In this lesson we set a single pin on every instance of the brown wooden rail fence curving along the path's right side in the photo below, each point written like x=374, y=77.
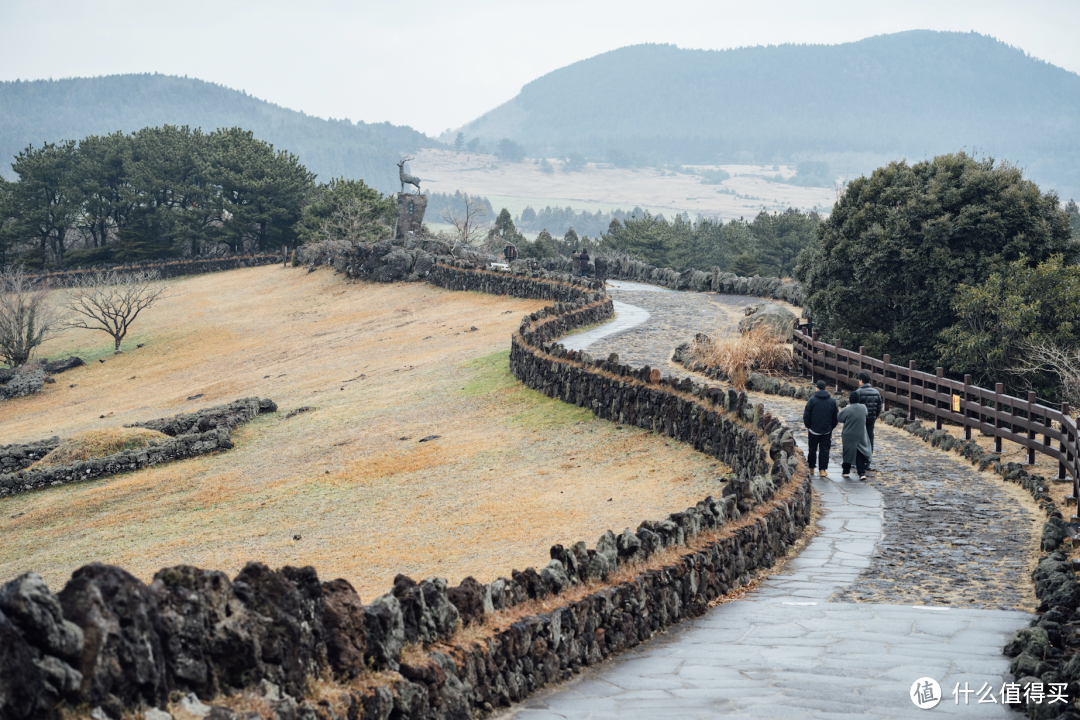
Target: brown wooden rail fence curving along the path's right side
x=1035, y=427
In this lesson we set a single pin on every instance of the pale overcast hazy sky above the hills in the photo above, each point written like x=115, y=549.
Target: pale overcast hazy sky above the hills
x=436, y=65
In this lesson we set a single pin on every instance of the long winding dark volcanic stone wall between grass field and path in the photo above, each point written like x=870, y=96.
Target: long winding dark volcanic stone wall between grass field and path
x=110, y=642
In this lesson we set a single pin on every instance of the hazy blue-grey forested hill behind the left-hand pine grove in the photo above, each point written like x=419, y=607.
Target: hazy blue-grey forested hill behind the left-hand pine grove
x=50, y=111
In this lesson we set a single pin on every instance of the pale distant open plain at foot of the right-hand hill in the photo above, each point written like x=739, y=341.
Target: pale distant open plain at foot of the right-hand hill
x=518, y=185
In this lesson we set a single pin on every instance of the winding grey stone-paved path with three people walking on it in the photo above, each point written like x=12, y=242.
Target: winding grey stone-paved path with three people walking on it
x=928, y=549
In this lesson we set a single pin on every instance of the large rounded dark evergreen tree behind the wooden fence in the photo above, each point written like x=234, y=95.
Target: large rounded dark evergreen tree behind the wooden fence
x=889, y=260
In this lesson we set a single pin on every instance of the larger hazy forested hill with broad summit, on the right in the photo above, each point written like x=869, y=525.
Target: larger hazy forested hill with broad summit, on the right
x=912, y=94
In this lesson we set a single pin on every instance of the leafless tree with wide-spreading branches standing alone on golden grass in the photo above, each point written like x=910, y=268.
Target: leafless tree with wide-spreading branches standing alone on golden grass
x=111, y=302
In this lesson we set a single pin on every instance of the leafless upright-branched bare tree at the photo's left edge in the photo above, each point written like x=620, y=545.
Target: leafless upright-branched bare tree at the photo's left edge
x=28, y=318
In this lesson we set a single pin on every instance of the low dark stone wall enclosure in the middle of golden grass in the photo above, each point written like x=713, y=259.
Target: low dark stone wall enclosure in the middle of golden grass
x=194, y=433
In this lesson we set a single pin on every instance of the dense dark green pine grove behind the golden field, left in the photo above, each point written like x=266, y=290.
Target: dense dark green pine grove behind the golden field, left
x=164, y=193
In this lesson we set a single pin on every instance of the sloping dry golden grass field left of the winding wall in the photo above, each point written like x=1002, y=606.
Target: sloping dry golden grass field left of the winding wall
x=511, y=474
